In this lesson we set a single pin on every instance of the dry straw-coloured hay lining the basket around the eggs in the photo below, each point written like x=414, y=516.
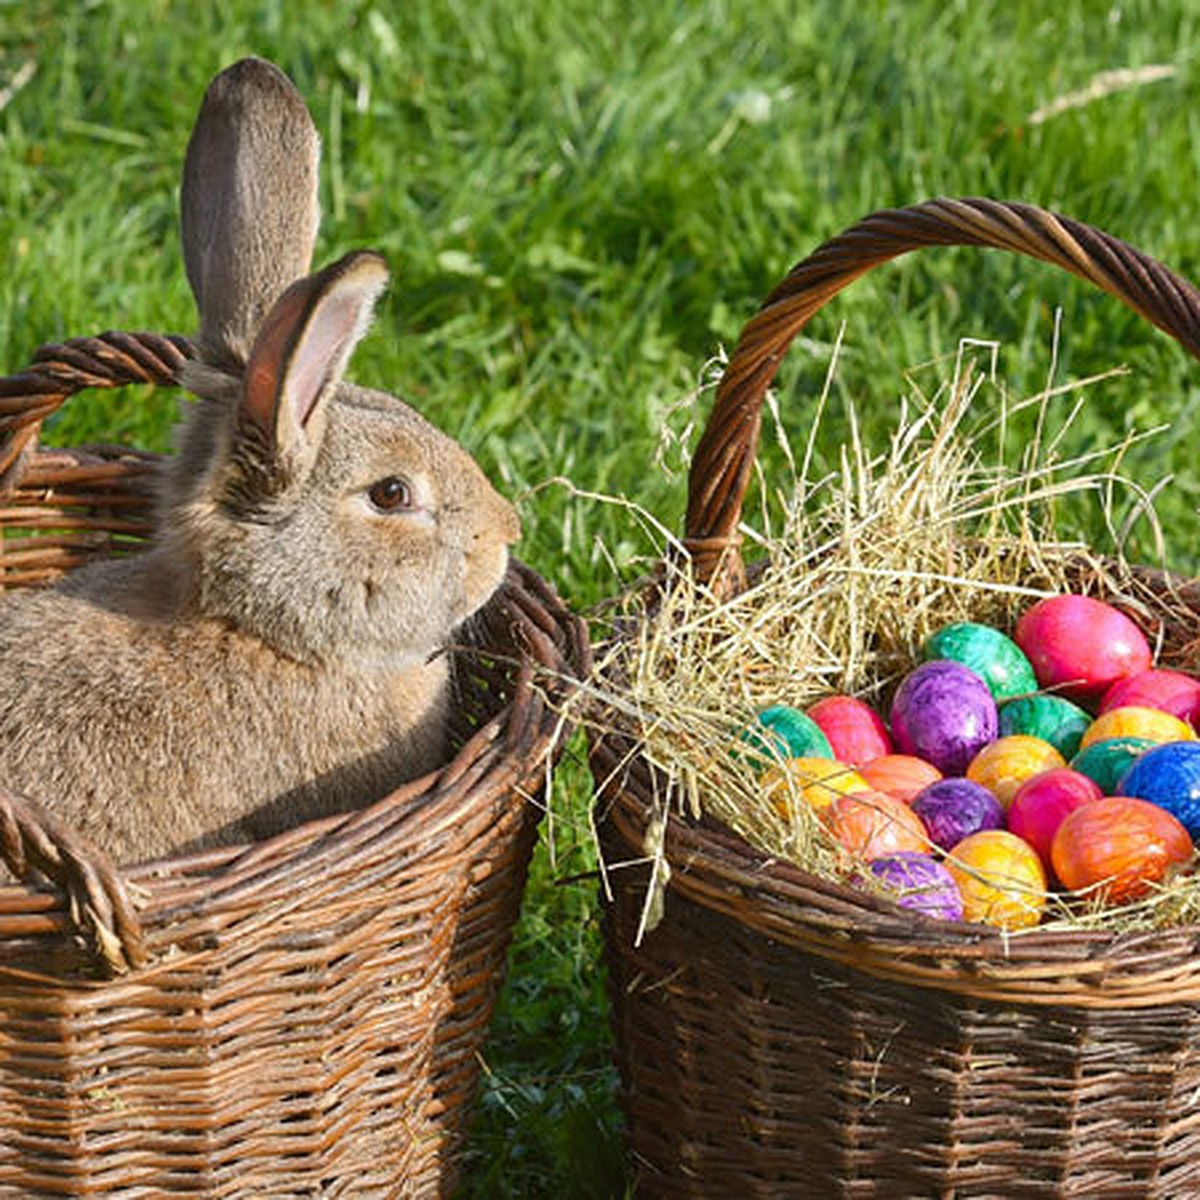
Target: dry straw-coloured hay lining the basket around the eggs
x=869, y=562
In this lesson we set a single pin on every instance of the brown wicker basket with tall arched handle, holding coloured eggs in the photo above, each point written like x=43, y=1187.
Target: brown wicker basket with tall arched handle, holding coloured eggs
x=783, y=1036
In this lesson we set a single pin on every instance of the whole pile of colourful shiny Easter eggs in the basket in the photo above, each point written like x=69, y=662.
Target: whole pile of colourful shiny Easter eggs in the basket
x=1058, y=759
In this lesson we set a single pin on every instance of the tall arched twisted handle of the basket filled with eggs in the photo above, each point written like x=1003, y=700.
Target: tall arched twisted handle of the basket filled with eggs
x=724, y=459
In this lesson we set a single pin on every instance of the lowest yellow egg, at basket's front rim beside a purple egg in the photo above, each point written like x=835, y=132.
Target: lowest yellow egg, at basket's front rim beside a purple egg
x=1000, y=878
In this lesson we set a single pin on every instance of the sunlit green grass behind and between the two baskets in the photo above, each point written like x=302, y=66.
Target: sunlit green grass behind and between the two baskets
x=584, y=201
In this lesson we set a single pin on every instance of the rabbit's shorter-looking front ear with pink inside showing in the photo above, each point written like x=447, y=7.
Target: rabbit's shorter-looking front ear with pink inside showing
x=303, y=349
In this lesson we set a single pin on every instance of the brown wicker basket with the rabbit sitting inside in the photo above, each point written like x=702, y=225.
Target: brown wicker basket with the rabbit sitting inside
x=299, y=1018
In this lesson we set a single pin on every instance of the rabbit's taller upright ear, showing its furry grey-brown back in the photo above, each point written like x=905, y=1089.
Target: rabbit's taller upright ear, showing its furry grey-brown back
x=249, y=203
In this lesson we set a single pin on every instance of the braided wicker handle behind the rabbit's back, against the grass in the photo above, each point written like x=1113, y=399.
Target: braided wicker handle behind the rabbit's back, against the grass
x=61, y=370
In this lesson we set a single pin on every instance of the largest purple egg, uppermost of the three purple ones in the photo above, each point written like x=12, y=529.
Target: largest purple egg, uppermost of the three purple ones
x=944, y=712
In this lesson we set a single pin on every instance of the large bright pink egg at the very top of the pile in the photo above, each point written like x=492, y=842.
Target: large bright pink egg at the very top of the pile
x=1081, y=646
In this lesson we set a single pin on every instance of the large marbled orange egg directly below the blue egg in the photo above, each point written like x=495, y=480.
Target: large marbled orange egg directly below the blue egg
x=1119, y=845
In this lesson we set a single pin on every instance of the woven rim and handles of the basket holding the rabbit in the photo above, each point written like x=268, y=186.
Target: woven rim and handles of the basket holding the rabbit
x=139, y=915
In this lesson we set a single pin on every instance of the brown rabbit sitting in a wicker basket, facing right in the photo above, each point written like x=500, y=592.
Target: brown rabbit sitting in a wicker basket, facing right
x=280, y=651
